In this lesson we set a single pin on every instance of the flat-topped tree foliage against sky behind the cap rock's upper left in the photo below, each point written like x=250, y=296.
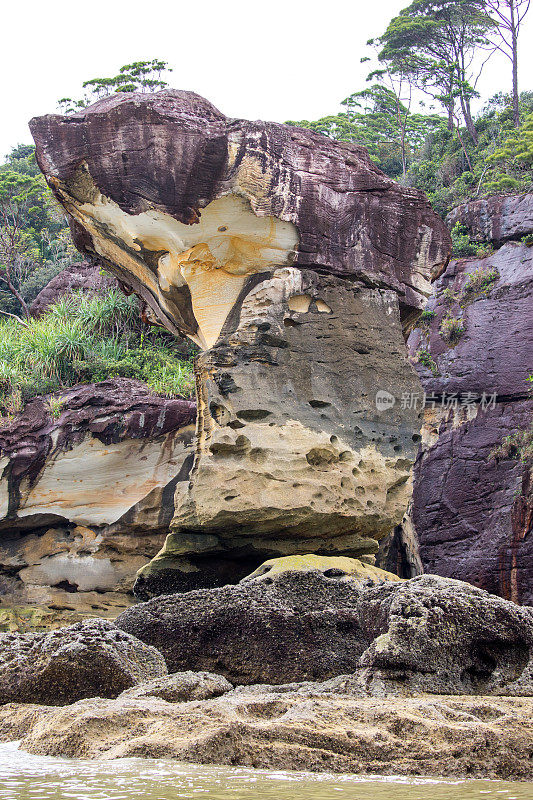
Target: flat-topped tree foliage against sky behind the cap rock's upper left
x=140, y=76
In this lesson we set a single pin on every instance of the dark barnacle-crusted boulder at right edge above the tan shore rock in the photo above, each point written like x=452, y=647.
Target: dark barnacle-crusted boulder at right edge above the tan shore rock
x=445, y=637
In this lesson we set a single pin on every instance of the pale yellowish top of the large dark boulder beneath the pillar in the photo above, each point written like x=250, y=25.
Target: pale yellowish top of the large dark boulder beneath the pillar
x=337, y=566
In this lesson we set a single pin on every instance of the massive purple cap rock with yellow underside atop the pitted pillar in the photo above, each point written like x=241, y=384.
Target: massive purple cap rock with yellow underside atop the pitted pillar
x=166, y=188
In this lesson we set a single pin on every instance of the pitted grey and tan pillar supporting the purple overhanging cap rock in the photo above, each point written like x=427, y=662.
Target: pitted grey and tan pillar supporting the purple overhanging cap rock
x=307, y=464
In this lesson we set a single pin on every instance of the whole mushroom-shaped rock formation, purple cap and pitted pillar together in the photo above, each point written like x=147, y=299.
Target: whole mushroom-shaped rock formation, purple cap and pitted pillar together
x=293, y=262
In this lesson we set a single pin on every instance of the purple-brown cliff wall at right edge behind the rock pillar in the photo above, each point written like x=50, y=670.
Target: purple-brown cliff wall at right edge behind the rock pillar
x=472, y=509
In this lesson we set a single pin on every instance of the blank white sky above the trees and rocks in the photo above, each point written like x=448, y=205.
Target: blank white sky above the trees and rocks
x=272, y=60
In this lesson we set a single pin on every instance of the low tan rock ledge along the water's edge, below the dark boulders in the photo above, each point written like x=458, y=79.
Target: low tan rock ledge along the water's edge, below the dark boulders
x=312, y=727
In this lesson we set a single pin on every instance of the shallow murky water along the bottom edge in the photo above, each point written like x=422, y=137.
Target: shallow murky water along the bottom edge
x=27, y=777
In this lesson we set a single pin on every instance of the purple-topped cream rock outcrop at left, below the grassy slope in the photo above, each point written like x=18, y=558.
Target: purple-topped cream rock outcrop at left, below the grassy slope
x=86, y=498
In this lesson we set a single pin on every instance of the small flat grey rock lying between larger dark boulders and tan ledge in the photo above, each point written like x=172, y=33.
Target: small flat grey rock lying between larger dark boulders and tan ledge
x=180, y=687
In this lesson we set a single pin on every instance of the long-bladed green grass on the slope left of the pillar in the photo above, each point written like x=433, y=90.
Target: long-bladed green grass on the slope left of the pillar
x=84, y=339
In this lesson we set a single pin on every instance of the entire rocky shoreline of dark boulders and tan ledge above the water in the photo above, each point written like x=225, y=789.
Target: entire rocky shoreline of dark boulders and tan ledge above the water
x=434, y=678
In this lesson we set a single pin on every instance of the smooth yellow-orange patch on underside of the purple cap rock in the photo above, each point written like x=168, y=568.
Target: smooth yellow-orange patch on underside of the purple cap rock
x=199, y=268
